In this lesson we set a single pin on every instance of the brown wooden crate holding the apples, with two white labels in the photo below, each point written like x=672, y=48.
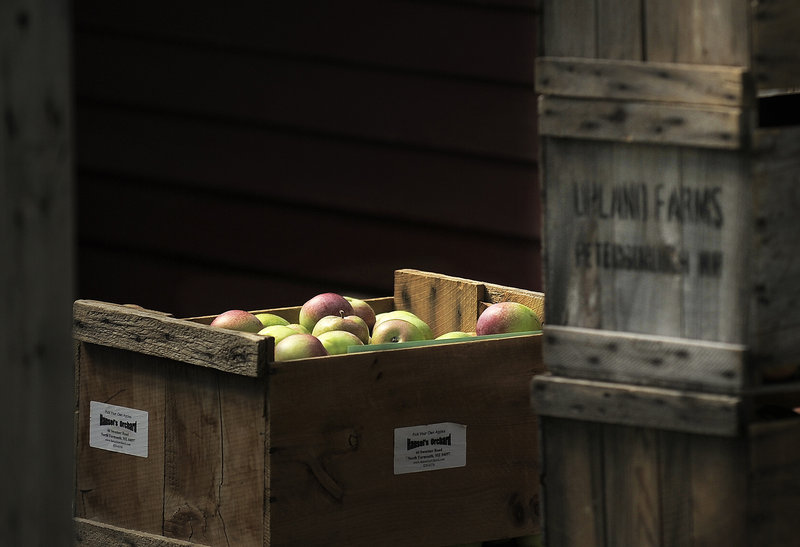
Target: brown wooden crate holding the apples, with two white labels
x=242, y=450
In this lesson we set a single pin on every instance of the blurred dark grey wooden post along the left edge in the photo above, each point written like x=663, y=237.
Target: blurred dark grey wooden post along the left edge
x=36, y=274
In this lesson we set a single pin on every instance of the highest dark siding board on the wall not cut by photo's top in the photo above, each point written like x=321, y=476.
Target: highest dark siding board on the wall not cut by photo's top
x=406, y=109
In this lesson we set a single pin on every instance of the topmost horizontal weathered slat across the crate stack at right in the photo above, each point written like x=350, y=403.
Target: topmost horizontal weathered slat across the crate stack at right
x=640, y=81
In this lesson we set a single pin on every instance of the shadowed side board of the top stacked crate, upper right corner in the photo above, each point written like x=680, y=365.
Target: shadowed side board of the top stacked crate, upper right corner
x=775, y=44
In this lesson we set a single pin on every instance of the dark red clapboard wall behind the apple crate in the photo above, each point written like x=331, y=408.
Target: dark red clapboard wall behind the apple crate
x=250, y=154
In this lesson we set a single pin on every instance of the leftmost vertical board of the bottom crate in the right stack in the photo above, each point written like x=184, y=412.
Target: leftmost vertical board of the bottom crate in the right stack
x=572, y=483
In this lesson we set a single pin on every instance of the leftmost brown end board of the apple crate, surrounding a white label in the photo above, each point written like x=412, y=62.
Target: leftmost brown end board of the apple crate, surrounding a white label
x=114, y=488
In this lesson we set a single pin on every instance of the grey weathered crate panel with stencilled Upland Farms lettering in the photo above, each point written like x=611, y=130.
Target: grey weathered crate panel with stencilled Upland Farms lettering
x=636, y=234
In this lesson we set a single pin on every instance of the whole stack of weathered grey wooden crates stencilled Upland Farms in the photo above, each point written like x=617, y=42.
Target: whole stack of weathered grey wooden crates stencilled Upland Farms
x=670, y=166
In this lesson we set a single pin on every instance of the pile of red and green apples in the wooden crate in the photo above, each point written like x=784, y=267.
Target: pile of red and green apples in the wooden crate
x=329, y=324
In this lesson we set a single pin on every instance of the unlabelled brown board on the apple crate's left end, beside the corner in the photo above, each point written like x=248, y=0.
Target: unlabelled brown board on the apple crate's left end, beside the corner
x=214, y=462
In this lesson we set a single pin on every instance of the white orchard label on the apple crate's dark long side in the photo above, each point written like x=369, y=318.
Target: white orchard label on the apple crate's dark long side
x=429, y=447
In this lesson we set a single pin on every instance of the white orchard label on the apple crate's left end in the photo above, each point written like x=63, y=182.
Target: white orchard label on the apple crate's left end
x=118, y=429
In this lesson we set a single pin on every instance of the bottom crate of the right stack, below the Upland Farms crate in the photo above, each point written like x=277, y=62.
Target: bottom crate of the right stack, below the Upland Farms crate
x=645, y=466
